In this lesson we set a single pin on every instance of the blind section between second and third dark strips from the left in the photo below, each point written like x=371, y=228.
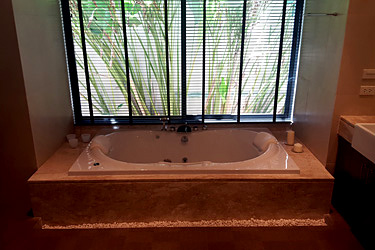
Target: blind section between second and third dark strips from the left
x=147, y=57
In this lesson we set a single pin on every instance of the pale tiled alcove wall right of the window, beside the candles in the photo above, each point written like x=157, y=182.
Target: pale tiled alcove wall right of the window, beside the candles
x=320, y=58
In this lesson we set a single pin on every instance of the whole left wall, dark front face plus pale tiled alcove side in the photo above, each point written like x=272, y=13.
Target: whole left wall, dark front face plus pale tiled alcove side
x=34, y=97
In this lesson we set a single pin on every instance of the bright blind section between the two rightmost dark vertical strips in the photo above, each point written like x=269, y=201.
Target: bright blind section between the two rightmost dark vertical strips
x=263, y=29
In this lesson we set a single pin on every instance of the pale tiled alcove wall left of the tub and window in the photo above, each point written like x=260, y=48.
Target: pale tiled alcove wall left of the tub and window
x=40, y=39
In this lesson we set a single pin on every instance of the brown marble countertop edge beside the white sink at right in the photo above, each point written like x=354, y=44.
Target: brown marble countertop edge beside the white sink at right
x=347, y=123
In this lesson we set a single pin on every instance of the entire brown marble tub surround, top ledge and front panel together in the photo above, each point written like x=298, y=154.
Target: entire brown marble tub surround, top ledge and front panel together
x=71, y=200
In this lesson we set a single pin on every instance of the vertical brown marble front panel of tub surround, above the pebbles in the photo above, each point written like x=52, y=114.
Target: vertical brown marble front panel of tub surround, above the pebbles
x=108, y=202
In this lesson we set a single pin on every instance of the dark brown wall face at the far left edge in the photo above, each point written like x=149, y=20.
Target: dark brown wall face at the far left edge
x=17, y=158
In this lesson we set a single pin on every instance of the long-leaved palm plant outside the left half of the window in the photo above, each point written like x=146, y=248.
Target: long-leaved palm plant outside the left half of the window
x=104, y=37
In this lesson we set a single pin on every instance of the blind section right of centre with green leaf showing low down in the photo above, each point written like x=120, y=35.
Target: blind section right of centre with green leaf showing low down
x=223, y=47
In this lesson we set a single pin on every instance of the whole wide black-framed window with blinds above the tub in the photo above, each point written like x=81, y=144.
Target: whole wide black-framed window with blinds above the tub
x=133, y=61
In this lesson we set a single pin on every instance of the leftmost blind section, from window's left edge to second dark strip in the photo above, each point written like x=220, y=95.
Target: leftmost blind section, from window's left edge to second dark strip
x=102, y=25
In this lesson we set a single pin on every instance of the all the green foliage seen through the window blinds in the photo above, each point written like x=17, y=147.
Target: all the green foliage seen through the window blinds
x=147, y=58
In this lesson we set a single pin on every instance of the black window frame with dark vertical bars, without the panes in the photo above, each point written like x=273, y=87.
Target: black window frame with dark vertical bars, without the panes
x=79, y=119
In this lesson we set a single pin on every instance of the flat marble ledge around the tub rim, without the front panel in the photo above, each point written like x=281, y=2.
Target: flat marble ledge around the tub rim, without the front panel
x=57, y=167
